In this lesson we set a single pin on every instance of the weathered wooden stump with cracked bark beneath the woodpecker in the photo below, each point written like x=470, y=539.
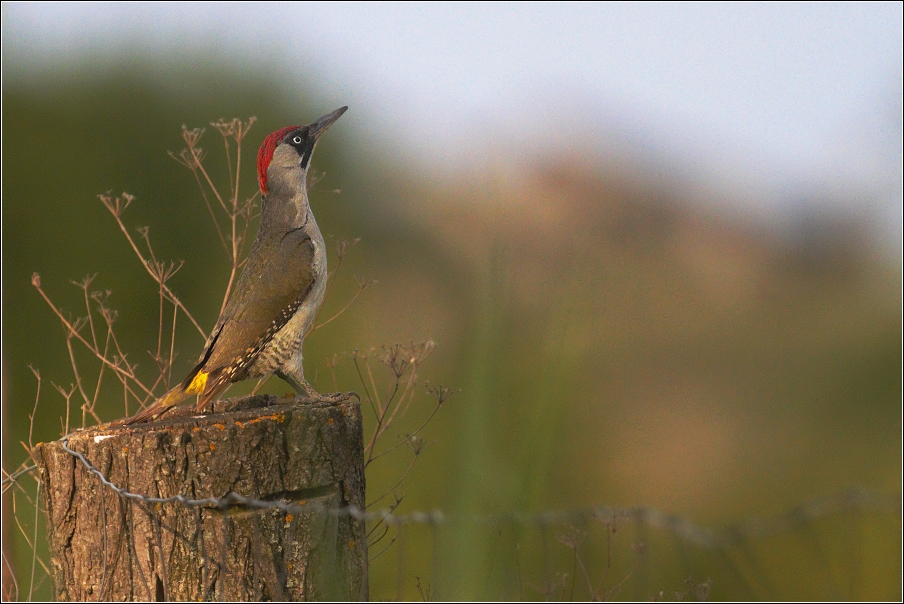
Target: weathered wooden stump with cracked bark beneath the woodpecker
x=105, y=546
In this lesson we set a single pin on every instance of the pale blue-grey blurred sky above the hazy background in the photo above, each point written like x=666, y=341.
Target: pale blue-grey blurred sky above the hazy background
x=780, y=104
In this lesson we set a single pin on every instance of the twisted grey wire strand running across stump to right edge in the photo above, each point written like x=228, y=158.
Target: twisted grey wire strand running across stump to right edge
x=852, y=499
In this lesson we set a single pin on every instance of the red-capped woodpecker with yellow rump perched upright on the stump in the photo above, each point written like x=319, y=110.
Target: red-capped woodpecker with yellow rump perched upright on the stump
x=279, y=293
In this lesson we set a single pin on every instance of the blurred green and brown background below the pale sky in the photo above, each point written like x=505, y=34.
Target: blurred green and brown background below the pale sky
x=615, y=340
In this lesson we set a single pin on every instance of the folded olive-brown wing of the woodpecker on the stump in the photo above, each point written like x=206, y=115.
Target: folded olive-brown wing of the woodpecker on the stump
x=277, y=276
